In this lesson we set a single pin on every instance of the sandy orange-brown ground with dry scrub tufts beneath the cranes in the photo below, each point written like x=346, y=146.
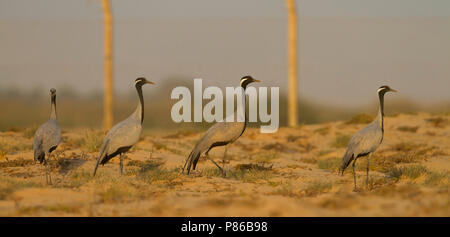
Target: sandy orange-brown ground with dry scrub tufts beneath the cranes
x=289, y=173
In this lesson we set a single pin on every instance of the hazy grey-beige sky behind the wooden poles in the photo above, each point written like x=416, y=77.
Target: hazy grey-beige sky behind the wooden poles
x=347, y=47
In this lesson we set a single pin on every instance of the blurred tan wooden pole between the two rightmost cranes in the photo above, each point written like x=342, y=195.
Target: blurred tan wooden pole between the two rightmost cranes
x=293, y=63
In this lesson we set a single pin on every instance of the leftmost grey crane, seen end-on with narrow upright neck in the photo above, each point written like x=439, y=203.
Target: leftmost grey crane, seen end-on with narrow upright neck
x=47, y=138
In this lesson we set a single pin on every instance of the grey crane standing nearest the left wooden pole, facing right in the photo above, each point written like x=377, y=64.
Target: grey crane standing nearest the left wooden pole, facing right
x=125, y=134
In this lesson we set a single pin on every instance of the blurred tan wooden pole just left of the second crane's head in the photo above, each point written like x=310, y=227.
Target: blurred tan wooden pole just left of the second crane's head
x=108, y=118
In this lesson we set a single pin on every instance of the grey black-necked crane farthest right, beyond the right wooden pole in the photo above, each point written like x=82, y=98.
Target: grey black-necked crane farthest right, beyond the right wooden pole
x=367, y=140
